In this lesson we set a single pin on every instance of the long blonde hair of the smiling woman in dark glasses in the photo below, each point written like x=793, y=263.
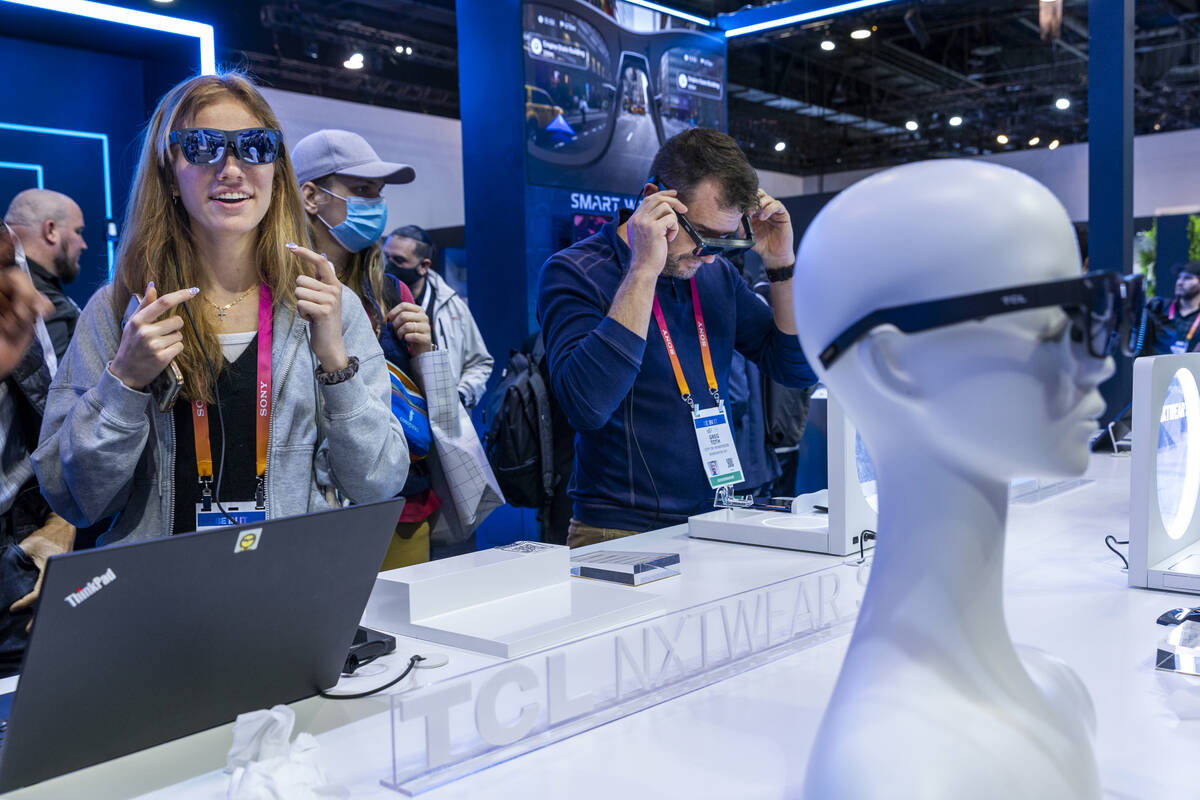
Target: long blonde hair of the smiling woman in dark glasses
x=158, y=242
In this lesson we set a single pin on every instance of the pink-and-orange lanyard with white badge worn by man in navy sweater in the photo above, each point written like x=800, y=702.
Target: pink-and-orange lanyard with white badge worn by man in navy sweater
x=718, y=454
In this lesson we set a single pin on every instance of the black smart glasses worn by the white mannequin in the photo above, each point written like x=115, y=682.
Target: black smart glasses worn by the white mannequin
x=1101, y=306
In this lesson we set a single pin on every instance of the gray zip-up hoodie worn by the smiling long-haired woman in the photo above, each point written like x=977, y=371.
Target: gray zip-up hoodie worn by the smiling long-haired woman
x=107, y=450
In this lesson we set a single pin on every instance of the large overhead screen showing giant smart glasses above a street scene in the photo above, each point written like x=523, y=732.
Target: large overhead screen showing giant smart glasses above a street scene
x=601, y=99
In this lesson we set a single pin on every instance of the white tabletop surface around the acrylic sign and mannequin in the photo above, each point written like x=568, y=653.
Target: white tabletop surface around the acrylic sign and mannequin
x=749, y=737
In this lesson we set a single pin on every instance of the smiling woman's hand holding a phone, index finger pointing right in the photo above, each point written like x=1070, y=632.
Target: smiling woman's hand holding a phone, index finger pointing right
x=149, y=345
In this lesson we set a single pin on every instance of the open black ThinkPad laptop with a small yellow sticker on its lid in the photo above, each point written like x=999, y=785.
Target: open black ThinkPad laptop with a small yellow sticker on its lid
x=139, y=645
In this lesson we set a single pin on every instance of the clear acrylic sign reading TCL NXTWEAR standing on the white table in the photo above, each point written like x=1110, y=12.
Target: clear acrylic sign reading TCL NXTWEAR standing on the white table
x=460, y=726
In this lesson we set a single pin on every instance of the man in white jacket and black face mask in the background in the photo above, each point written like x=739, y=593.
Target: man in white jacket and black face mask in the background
x=410, y=254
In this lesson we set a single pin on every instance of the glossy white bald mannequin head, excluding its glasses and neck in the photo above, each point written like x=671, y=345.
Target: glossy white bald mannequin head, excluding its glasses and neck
x=1011, y=396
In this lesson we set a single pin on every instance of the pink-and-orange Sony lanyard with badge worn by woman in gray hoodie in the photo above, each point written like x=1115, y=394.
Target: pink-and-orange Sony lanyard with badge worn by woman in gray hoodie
x=242, y=512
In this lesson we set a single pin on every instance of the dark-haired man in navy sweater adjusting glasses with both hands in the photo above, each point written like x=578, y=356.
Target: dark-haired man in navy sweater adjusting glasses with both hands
x=641, y=322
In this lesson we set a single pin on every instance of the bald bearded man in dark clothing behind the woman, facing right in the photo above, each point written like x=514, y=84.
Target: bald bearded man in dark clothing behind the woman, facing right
x=50, y=226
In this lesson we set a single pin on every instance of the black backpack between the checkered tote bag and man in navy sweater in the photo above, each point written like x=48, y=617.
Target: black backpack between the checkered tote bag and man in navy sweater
x=520, y=434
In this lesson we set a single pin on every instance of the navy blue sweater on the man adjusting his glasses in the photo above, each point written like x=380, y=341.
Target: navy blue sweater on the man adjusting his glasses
x=637, y=460
